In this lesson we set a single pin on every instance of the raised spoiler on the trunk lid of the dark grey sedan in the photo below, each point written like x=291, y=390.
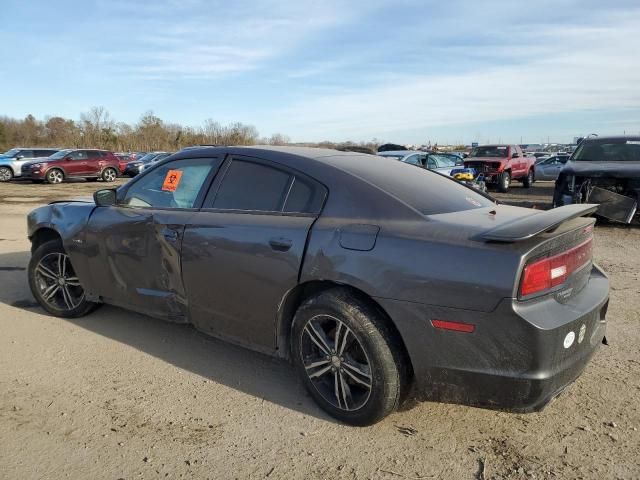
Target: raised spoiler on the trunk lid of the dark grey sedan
x=532, y=225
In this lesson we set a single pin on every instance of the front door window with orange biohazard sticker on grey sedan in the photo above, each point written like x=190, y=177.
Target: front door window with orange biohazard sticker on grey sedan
x=173, y=185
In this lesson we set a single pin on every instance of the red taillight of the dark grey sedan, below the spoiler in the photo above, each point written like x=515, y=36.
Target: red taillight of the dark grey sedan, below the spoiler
x=550, y=272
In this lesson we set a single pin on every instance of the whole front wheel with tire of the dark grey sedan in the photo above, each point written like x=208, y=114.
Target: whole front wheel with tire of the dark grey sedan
x=54, y=284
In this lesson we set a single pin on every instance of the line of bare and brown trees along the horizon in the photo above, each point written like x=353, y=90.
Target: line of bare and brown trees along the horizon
x=97, y=129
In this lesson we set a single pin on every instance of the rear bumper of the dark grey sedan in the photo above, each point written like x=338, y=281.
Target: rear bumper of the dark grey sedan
x=515, y=359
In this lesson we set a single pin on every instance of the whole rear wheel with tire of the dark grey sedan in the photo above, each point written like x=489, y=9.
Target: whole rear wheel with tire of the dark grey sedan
x=347, y=357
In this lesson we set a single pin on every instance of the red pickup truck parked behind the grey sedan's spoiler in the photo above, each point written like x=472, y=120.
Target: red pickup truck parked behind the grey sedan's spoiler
x=500, y=164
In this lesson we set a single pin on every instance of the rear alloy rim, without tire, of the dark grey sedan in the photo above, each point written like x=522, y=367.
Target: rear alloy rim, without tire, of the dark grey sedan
x=336, y=362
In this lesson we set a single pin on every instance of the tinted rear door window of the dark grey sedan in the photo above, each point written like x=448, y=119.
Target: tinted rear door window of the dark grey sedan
x=252, y=186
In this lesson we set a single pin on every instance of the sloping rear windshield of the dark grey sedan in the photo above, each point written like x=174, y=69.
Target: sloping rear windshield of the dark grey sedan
x=428, y=192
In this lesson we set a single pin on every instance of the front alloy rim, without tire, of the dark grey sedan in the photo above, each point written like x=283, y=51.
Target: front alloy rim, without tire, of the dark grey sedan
x=57, y=282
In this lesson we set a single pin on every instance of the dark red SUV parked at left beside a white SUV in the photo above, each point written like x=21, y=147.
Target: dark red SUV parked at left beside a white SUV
x=81, y=163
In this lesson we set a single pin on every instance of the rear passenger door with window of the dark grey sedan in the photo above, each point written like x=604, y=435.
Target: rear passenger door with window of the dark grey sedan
x=242, y=252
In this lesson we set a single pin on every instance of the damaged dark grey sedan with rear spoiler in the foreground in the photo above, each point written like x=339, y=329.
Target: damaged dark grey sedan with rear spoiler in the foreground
x=369, y=275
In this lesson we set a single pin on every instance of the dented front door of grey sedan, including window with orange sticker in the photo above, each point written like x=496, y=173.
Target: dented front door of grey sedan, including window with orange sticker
x=140, y=238
